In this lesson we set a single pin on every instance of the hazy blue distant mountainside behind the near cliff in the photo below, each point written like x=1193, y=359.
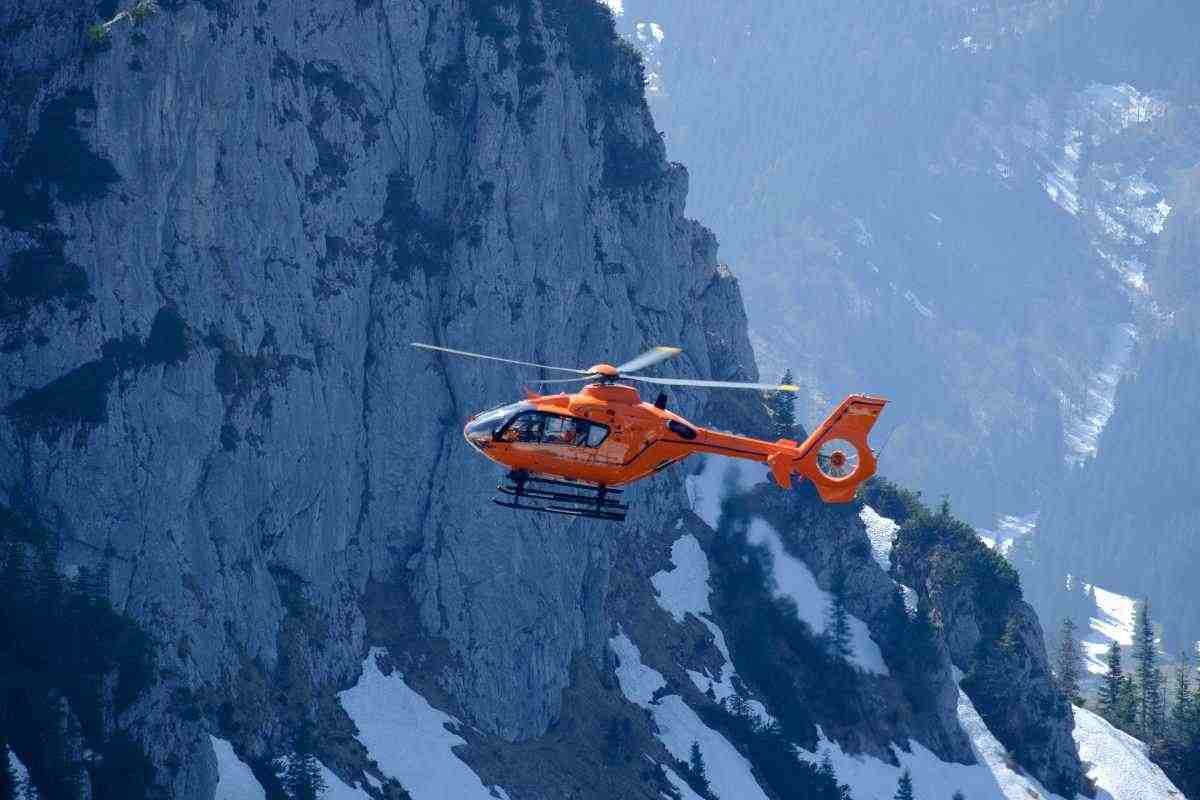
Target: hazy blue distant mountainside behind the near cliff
x=983, y=213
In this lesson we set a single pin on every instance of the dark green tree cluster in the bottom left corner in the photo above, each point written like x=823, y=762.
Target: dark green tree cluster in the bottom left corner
x=71, y=666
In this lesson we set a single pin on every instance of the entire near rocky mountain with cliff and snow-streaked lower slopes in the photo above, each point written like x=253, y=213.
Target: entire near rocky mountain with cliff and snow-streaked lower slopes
x=221, y=231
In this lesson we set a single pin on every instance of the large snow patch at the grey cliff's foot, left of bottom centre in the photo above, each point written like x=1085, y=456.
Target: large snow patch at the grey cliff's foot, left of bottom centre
x=409, y=738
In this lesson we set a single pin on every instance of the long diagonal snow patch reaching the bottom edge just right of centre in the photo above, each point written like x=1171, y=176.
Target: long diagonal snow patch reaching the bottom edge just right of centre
x=729, y=772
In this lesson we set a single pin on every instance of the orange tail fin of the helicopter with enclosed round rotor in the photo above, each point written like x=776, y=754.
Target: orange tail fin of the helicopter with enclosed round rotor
x=837, y=458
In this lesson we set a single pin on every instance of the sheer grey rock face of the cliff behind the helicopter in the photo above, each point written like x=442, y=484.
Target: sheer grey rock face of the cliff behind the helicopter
x=214, y=388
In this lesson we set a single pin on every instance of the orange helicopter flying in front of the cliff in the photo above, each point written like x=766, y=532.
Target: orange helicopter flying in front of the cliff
x=567, y=454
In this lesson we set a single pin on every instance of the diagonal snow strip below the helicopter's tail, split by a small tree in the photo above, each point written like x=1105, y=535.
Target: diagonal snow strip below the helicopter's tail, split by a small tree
x=794, y=580
